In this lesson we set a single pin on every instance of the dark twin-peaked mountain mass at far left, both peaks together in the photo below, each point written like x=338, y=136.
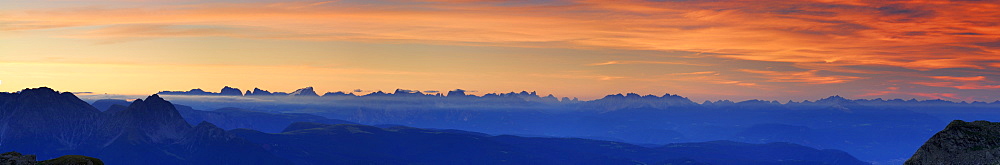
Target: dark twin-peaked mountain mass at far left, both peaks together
x=148, y=131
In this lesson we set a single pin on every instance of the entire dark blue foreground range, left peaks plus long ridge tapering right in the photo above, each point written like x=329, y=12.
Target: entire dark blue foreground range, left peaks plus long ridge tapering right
x=154, y=131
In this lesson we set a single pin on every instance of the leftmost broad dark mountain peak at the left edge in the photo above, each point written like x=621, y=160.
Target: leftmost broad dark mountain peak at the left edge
x=45, y=122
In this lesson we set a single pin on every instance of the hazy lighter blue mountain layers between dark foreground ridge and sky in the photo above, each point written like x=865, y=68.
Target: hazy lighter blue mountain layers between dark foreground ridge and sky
x=877, y=130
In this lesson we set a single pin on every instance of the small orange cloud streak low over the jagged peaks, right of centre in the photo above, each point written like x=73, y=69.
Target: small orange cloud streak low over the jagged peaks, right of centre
x=808, y=77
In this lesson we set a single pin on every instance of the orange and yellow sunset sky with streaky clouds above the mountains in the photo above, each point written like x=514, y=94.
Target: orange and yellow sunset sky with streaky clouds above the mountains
x=704, y=50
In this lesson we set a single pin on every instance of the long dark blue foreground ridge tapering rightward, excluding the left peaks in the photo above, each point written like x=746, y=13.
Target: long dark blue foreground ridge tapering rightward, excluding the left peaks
x=314, y=143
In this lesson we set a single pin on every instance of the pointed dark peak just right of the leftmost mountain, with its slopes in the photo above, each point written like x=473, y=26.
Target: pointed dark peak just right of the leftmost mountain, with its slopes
x=154, y=131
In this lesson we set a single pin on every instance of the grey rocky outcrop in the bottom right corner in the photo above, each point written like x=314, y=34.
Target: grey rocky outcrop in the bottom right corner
x=961, y=142
